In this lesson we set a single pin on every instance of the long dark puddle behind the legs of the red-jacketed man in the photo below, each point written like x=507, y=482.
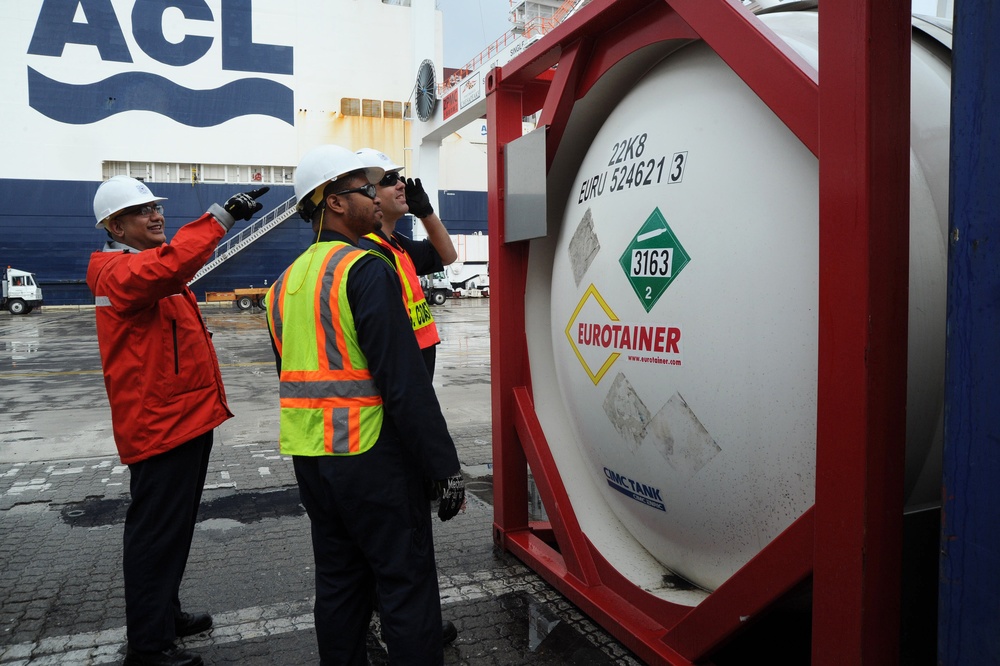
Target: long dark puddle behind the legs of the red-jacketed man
x=243, y=507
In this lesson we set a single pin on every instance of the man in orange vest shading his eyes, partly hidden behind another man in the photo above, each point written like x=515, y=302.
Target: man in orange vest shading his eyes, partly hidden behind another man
x=412, y=259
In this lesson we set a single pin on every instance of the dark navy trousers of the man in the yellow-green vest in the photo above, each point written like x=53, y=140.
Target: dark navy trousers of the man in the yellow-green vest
x=371, y=525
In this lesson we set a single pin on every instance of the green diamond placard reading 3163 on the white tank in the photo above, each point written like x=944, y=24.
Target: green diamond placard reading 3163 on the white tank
x=653, y=259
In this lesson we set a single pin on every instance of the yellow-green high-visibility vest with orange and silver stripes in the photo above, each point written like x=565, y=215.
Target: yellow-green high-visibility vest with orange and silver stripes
x=329, y=402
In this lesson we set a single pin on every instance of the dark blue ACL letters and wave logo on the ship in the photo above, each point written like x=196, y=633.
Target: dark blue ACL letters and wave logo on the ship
x=95, y=23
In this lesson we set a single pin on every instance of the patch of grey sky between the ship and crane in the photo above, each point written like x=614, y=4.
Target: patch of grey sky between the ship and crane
x=470, y=26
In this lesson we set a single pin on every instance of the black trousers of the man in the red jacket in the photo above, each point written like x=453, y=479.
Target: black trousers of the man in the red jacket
x=159, y=525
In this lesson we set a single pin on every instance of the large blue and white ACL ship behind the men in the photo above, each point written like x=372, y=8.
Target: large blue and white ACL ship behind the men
x=200, y=99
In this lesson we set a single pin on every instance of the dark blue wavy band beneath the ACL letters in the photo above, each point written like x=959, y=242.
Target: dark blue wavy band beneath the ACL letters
x=140, y=91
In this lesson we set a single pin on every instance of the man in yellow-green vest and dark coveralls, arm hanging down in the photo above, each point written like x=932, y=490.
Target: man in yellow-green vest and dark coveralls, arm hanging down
x=352, y=382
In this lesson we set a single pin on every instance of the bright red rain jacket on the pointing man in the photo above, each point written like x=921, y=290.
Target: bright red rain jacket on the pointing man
x=160, y=368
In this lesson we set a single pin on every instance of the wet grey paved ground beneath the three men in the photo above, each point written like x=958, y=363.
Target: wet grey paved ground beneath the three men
x=63, y=494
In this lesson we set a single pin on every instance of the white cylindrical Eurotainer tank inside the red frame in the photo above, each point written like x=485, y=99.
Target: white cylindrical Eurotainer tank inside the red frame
x=672, y=318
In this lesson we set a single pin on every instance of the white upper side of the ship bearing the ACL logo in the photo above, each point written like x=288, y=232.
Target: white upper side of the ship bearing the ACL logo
x=243, y=88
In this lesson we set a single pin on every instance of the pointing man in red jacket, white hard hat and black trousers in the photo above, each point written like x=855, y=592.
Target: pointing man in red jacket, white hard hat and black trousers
x=165, y=389
